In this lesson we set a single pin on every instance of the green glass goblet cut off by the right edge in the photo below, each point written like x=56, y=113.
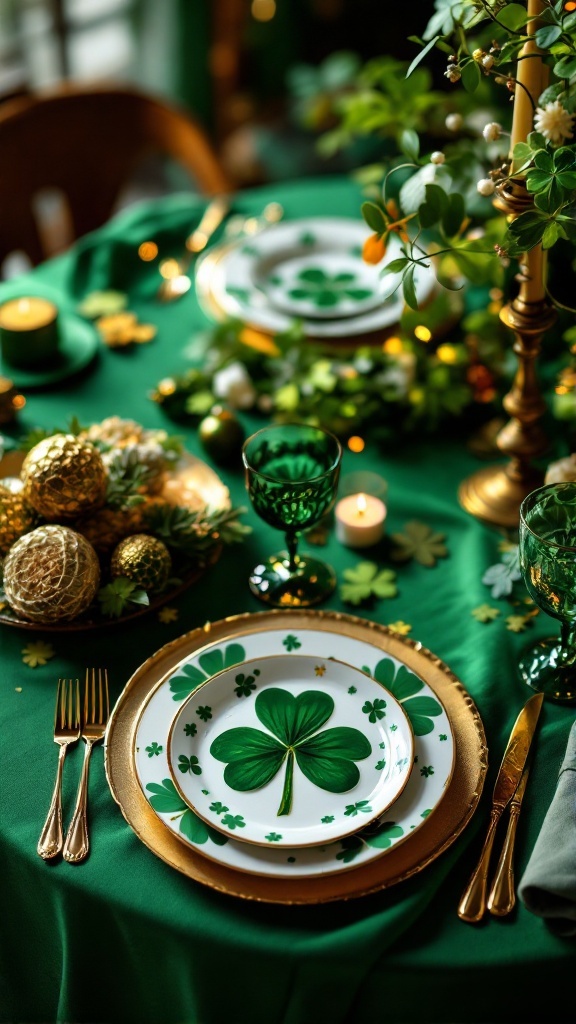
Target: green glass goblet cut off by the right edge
x=548, y=560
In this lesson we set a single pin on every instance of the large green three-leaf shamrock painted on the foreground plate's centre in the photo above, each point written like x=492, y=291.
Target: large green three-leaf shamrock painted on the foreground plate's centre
x=254, y=757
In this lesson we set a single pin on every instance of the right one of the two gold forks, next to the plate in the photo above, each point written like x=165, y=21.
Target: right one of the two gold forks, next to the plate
x=95, y=719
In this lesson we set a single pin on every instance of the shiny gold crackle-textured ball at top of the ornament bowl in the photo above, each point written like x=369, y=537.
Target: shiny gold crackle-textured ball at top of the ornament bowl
x=64, y=478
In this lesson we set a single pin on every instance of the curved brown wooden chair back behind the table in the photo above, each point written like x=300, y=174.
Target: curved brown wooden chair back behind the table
x=87, y=144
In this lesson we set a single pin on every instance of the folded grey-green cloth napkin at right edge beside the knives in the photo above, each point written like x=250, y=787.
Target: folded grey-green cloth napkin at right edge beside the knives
x=549, y=884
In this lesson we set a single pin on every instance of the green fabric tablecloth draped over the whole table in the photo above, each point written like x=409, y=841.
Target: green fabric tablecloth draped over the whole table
x=125, y=938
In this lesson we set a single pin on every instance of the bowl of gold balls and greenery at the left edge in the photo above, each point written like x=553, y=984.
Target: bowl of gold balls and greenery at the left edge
x=102, y=524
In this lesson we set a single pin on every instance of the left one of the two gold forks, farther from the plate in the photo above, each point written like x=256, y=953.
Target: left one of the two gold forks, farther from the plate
x=67, y=732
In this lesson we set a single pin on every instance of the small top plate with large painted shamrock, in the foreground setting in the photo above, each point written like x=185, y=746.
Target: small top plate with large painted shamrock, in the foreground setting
x=291, y=750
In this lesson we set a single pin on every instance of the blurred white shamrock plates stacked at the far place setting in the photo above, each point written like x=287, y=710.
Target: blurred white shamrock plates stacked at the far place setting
x=310, y=270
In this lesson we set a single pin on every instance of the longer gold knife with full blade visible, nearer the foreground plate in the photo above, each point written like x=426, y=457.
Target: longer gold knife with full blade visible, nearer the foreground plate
x=473, y=904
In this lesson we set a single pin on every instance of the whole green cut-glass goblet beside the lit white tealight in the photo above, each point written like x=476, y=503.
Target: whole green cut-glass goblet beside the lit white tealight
x=292, y=477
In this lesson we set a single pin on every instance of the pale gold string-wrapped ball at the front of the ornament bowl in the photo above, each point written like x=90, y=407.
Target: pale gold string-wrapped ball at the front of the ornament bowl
x=52, y=575
